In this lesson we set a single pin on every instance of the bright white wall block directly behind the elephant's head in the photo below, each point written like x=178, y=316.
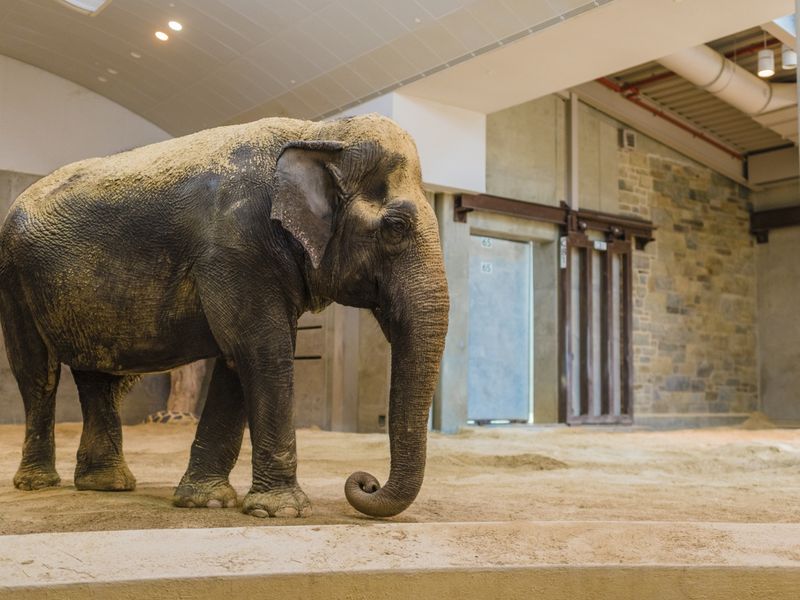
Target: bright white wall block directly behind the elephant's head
x=451, y=141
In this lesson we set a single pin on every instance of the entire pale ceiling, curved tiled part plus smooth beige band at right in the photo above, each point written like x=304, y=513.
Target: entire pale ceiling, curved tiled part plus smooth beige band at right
x=239, y=60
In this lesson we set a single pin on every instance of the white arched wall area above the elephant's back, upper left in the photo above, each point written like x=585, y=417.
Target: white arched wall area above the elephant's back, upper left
x=47, y=122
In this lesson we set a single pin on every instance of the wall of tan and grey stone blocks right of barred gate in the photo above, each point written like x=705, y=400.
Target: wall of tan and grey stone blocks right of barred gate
x=694, y=288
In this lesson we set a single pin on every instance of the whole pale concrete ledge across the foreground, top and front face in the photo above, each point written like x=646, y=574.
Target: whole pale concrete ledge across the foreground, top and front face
x=521, y=559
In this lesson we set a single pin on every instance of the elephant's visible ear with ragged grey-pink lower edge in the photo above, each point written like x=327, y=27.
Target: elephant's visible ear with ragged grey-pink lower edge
x=305, y=192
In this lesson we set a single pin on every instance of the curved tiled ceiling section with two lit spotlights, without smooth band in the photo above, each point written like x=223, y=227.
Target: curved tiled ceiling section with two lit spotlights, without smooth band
x=242, y=59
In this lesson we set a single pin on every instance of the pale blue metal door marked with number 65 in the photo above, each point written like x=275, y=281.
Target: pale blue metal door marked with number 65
x=500, y=368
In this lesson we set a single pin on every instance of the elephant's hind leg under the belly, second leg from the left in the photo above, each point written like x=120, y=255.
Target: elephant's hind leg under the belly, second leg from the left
x=101, y=463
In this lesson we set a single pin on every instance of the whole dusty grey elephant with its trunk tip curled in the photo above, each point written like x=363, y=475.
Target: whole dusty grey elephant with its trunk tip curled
x=212, y=245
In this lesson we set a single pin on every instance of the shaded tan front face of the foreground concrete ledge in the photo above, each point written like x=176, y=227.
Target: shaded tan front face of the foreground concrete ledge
x=544, y=583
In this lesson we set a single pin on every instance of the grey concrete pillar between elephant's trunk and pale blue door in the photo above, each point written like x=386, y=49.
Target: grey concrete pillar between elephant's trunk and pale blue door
x=450, y=400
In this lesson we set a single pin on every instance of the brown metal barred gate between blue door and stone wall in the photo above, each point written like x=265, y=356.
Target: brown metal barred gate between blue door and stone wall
x=596, y=317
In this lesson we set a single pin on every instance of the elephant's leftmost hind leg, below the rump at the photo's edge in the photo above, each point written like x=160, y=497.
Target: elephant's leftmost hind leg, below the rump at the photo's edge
x=37, y=373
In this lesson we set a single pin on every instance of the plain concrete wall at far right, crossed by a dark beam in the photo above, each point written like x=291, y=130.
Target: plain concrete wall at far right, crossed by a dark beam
x=778, y=323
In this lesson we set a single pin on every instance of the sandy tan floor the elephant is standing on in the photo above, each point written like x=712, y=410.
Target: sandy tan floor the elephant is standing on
x=499, y=474
